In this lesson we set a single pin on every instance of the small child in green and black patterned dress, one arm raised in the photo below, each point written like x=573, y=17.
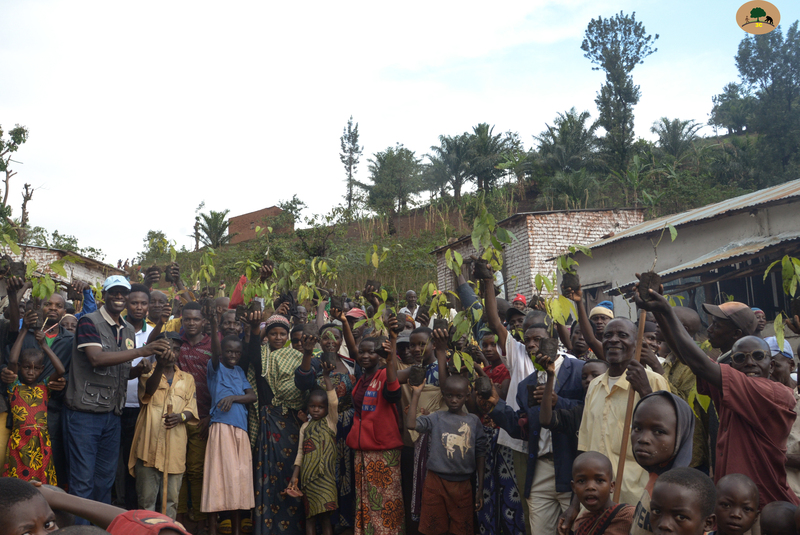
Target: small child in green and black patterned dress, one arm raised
x=315, y=464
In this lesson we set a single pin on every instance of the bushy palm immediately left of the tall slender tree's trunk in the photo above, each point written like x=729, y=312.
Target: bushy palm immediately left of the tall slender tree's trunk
x=569, y=145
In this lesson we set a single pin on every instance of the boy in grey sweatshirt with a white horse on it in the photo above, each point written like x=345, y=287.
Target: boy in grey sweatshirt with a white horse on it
x=452, y=461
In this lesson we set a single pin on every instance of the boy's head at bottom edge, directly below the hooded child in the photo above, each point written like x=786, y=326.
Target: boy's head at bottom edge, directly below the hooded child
x=683, y=503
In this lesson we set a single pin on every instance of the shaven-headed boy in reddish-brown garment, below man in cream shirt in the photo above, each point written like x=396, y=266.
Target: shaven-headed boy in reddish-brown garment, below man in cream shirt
x=593, y=483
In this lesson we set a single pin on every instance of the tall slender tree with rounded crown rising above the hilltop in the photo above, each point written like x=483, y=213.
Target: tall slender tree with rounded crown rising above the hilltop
x=617, y=45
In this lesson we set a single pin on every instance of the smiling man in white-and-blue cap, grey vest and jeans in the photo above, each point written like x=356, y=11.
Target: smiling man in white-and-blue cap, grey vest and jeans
x=101, y=354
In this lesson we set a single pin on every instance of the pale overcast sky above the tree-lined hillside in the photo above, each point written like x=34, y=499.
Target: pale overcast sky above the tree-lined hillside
x=139, y=111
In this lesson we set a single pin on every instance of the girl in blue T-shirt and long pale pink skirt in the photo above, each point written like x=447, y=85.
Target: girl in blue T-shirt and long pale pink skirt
x=227, y=480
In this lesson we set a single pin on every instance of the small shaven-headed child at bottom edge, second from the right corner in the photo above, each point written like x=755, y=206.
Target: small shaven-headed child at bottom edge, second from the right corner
x=737, y=505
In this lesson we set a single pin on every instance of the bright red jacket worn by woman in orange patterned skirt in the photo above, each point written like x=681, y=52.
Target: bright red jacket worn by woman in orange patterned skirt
x=376, y=429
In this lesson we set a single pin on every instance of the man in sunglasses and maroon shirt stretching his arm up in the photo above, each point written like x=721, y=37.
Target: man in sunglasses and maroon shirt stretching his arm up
x=755, y=413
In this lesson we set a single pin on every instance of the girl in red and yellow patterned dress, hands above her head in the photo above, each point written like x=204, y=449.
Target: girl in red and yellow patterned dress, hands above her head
x=29, y=455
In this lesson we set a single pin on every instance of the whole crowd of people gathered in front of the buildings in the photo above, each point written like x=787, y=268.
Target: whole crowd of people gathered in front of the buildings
x=203, y=414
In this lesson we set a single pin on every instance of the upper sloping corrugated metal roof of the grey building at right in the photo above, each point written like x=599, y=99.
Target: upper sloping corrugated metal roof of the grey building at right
x=743, y=202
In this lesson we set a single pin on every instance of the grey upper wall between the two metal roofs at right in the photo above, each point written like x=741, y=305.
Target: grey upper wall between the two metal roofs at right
x=618, y=262
